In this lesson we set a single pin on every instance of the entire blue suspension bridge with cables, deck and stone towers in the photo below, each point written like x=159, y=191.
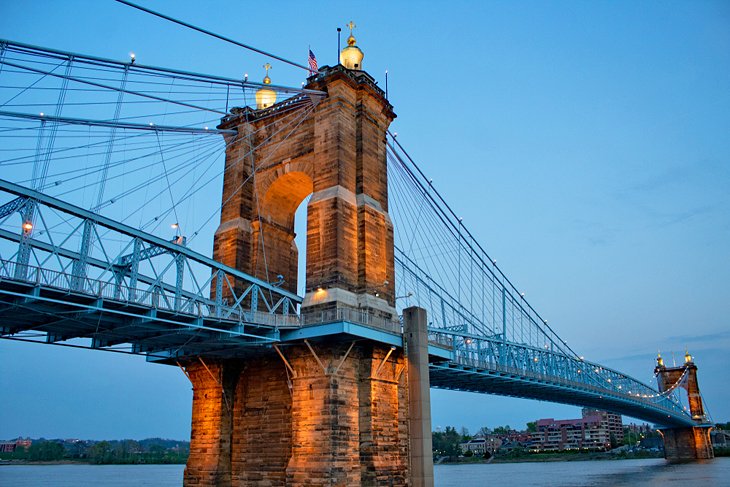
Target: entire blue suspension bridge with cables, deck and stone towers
x=106, y=219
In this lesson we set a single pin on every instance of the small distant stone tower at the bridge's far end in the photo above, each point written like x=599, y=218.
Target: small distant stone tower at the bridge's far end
x=689, y=443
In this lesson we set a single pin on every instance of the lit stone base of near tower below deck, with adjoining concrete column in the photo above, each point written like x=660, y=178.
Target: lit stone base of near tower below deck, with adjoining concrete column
x=331, y=412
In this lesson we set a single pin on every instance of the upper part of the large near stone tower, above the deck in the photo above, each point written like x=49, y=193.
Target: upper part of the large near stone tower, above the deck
x=336, y=153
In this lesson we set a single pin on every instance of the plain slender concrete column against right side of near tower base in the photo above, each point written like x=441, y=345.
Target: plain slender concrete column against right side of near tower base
x=419, y=404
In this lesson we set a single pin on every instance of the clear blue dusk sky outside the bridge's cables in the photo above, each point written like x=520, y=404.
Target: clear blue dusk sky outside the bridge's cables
x=586, y=145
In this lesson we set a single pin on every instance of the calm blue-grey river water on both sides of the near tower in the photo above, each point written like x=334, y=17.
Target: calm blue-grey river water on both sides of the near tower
x=650, y=472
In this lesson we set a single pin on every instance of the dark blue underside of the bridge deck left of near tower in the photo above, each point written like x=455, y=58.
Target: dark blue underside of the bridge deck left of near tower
x=64, y=315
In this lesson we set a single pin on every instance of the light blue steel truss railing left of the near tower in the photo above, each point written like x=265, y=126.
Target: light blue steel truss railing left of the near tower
x=57, y=244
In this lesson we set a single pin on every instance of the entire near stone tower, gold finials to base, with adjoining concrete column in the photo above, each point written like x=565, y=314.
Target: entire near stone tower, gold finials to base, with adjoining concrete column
x=328, y=408
